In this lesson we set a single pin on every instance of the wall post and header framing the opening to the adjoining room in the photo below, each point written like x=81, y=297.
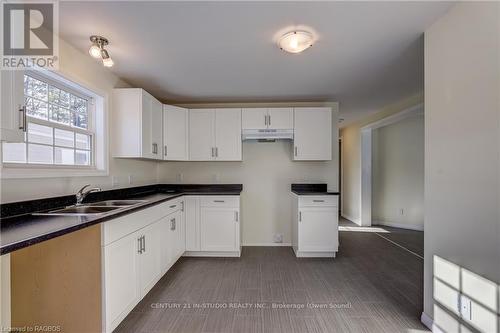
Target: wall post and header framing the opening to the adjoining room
x=351, y=156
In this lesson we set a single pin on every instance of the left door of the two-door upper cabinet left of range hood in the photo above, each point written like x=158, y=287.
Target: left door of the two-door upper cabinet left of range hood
x=201, y=134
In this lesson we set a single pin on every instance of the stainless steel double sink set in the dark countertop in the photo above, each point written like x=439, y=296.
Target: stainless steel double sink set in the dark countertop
x=94, y=208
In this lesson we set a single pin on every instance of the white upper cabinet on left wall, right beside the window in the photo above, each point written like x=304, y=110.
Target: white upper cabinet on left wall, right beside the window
x=137, y=124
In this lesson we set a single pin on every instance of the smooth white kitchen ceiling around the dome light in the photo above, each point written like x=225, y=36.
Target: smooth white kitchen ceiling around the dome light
x=368, y=54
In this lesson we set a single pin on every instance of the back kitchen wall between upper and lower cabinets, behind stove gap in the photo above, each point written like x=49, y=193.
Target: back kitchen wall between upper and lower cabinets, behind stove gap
x=266, y=173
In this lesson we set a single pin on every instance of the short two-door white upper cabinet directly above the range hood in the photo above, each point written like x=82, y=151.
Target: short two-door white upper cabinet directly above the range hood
x=267, y=118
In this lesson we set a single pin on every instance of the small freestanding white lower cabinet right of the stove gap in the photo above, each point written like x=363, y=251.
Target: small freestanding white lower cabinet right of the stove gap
x=315, y=226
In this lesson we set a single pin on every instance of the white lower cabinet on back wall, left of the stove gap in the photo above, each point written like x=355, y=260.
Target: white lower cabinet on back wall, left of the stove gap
x=213, y=226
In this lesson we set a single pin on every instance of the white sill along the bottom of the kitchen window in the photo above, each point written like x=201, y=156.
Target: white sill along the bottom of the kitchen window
x=31, y=171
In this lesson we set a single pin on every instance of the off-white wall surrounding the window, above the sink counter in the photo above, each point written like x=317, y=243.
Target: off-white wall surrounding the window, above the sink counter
x=90, y=73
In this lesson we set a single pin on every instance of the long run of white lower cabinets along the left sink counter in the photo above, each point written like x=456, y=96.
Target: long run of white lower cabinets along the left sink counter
x=138, y=249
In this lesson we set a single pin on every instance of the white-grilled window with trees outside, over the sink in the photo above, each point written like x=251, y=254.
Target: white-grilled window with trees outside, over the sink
x=60, y=128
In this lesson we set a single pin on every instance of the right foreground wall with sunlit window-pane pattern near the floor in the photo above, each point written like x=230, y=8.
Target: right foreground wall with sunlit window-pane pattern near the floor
x=462, y=164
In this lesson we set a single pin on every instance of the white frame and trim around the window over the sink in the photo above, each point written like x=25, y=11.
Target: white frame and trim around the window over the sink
x=97, y=127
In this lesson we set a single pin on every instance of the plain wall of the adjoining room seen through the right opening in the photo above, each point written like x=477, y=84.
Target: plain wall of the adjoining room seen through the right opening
x=398, y=174
